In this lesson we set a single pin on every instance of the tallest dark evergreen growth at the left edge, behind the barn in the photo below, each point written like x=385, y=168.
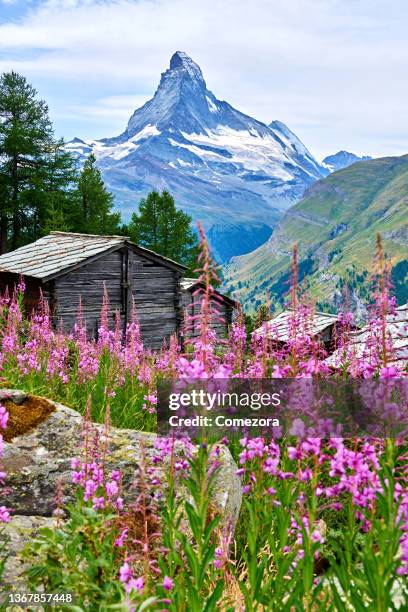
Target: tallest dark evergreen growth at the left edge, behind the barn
x=34, y=169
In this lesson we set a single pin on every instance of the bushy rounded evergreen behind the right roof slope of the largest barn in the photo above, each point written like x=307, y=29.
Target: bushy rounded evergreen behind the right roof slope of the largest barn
x=159, y=226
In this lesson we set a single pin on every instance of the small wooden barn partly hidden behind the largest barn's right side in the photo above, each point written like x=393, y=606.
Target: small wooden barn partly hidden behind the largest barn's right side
x=222, y=308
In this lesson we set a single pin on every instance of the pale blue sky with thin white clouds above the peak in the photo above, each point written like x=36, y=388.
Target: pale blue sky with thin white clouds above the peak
x=334, y=70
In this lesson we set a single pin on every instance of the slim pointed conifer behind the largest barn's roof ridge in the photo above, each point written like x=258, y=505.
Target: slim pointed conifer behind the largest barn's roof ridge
x=96, y=202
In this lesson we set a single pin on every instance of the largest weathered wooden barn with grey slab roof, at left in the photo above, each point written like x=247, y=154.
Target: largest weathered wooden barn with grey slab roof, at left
x=66, y=266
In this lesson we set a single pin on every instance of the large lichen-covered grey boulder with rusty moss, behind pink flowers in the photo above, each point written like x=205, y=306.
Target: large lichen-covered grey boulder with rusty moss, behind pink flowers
x=43, y=436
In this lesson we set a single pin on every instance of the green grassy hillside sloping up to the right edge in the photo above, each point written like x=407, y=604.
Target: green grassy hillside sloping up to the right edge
x=335, y=227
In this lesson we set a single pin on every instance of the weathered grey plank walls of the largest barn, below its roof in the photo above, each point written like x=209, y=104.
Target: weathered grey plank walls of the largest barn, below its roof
x=127, y=275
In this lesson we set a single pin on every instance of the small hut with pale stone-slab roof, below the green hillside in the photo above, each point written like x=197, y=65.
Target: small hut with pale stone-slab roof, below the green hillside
x=322, y=327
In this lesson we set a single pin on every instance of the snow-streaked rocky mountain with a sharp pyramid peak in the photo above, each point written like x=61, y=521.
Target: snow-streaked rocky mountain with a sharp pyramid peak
x=223, y=167
